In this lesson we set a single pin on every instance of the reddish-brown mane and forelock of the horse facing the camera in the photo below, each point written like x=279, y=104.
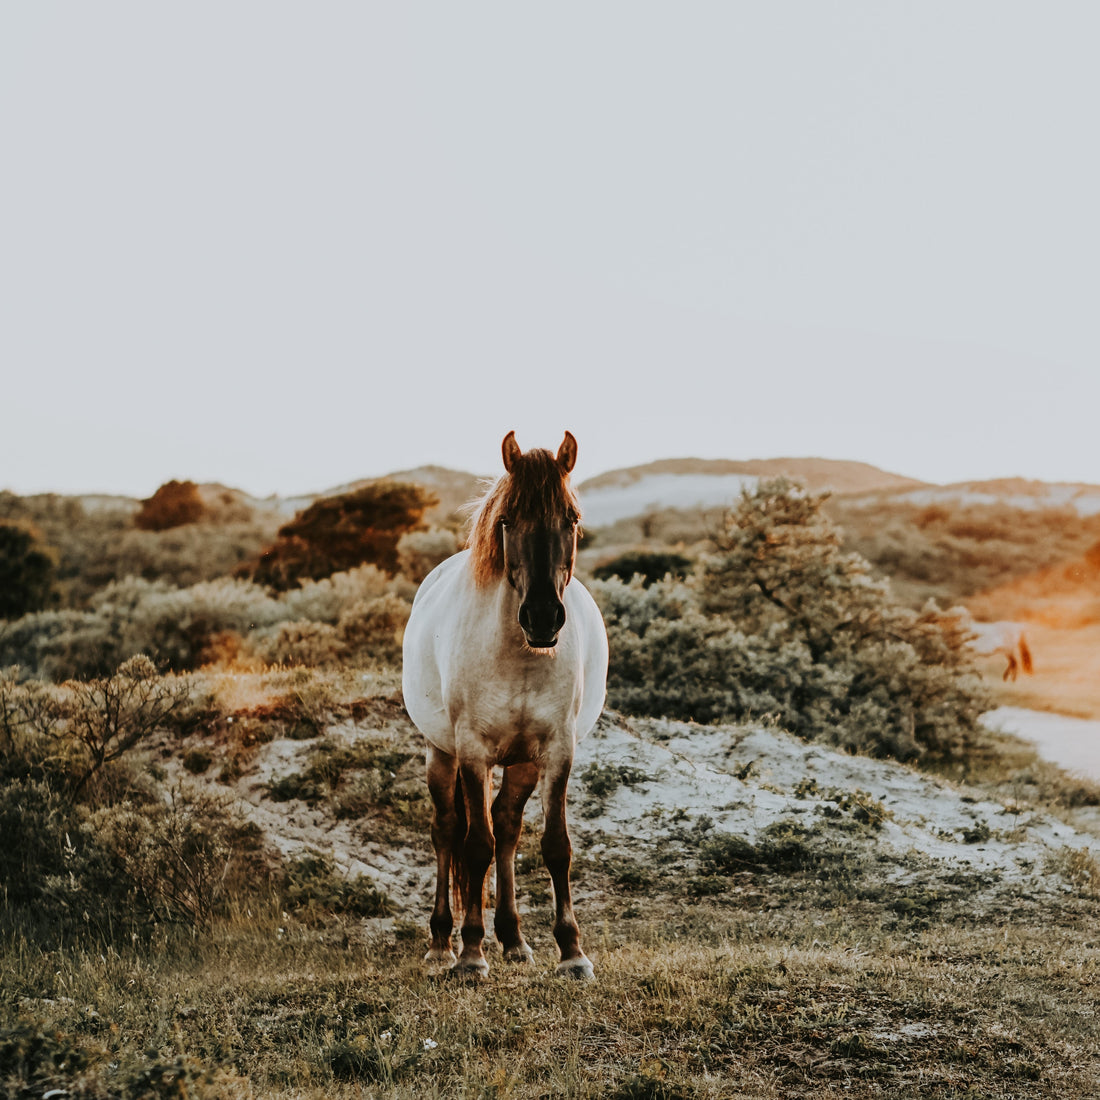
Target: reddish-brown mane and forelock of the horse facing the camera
x=536, y=490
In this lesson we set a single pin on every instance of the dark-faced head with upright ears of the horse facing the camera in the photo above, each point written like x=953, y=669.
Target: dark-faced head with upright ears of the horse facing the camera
x=537, y=520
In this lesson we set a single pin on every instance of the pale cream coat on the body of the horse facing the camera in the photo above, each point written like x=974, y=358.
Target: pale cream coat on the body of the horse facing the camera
x=474, y=686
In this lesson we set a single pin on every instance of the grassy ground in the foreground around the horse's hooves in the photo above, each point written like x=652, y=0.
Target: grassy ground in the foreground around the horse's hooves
x=787, y=986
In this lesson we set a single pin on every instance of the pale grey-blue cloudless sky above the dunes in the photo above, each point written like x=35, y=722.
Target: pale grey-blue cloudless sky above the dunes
x=287, y=246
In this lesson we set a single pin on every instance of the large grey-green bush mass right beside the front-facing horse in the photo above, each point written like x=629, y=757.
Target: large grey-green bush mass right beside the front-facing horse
x=782, y=622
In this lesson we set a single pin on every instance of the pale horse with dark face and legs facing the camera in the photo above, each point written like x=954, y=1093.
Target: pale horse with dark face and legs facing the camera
x=505, y=665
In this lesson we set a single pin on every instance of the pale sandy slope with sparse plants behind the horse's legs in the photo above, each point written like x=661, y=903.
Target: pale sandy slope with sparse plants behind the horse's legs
x=740, y=779
